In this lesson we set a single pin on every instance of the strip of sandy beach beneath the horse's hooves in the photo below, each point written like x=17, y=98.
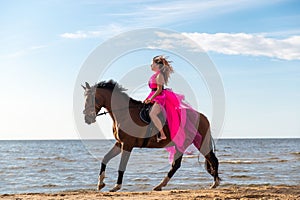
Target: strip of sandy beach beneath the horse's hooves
x=227, y=192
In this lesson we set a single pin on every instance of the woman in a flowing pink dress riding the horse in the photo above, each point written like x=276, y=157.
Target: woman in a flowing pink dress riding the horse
x=182, y=129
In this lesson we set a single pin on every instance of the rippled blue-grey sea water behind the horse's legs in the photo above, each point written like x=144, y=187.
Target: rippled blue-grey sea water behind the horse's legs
x=52, y=166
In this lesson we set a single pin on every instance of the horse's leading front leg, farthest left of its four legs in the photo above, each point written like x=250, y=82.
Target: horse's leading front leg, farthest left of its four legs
x=116, y=150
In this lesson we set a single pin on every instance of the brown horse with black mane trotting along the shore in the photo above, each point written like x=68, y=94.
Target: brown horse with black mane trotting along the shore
x=130, y=131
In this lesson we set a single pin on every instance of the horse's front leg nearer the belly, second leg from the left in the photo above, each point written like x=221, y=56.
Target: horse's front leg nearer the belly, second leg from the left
x=126, y=151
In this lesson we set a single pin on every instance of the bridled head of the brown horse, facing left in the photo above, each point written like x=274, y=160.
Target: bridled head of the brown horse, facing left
x=92, y=106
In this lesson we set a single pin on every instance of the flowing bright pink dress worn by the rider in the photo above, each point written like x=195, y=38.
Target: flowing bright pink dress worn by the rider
x=182, y=127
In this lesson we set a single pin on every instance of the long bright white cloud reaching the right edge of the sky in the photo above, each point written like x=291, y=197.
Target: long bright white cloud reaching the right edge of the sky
x=249, y=44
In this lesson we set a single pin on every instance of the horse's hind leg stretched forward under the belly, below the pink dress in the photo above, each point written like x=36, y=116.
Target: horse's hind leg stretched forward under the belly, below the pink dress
x=175, y=166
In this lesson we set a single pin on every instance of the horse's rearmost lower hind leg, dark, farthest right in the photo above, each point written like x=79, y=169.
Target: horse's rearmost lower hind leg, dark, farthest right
x=212, y=165
